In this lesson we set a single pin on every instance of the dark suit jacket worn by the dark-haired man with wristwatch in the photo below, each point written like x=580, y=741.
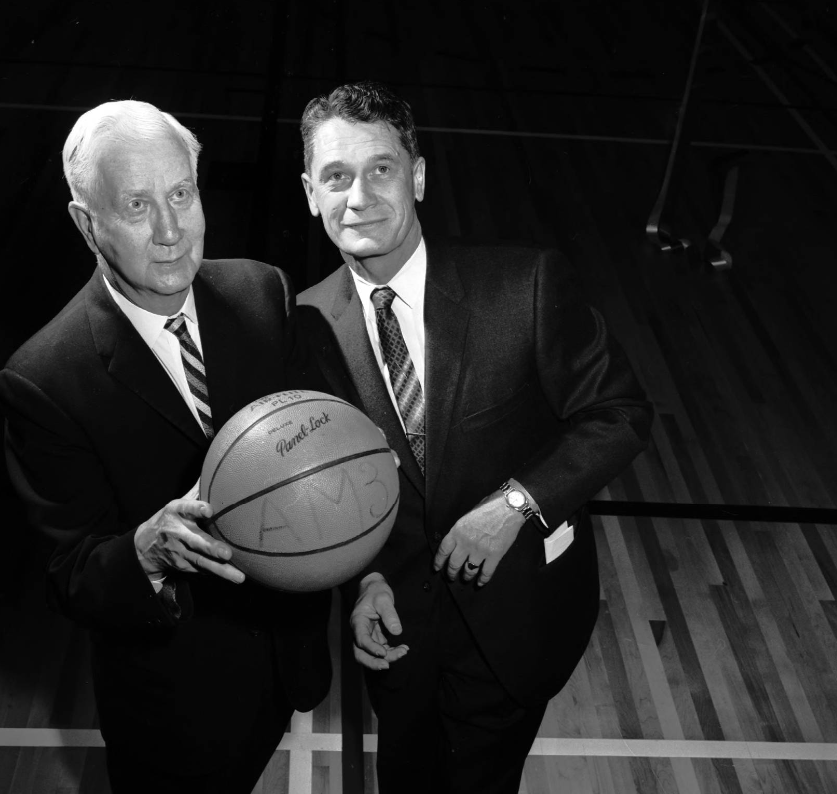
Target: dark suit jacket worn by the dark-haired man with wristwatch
x=522, y=380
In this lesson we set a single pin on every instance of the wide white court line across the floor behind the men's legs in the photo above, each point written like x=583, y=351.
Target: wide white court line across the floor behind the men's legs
x=302, y=740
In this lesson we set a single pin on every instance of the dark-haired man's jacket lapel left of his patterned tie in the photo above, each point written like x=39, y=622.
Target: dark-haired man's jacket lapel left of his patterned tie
x=350, y=330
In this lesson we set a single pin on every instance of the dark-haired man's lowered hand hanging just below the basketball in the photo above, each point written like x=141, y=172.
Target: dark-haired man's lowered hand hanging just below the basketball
x=374, y=606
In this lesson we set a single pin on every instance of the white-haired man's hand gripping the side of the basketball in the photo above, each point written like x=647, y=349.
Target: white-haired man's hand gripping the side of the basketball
x=172, y=540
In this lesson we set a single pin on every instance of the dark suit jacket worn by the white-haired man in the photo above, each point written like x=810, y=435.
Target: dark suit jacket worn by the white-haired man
x=98, y=440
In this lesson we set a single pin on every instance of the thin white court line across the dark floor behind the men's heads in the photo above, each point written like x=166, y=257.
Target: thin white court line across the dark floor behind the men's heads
x=557, y=136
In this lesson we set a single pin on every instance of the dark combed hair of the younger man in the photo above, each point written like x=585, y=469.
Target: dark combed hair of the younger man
x=359, y=102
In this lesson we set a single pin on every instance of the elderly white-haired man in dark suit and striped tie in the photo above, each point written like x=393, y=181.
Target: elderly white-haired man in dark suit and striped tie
x=111, y=408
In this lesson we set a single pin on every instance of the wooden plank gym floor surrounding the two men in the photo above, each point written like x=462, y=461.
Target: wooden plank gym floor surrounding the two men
x=712, y=668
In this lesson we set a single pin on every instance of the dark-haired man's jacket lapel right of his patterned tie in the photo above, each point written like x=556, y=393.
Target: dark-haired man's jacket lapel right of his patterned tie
x=446, y=317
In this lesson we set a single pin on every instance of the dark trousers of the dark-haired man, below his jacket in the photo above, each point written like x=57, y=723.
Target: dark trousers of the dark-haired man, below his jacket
x=453, y=727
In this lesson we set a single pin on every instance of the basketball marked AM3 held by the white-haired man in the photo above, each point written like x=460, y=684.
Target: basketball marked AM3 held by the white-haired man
x=303, y=488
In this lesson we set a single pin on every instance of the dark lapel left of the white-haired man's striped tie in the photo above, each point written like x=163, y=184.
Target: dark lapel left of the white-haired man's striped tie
x=131, y=362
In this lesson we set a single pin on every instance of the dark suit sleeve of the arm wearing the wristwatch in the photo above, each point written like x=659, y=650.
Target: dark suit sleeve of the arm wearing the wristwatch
x=588, y=381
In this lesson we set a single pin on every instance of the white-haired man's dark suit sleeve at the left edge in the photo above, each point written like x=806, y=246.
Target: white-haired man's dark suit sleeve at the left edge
x=94, y=576
